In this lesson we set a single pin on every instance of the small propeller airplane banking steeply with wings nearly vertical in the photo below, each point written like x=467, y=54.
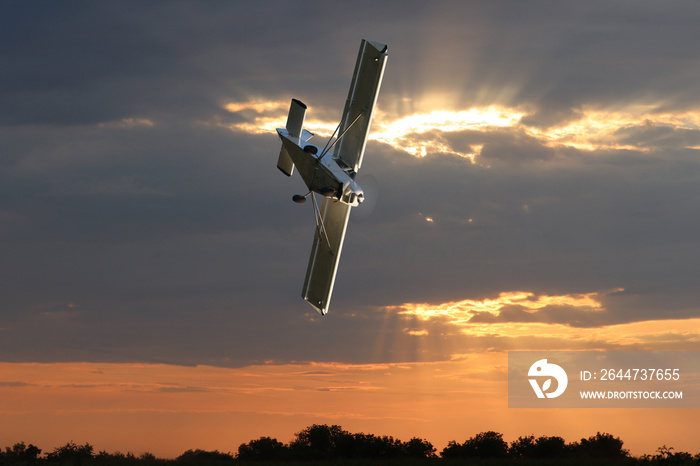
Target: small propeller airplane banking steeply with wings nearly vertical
x=333, y=175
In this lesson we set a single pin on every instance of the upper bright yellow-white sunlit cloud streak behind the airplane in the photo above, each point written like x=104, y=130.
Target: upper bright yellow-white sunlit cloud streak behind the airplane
x=635, y=127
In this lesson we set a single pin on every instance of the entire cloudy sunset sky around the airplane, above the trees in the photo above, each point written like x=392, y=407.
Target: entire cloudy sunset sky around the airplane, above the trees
x=534, y=171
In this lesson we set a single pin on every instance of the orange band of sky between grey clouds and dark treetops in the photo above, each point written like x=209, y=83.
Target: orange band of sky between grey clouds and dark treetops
x=147, y=405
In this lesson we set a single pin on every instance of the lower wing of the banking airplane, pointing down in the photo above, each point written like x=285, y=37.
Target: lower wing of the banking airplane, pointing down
x=325, y=254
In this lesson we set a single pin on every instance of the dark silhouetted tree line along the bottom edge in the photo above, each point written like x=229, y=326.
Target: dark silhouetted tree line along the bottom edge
x=329, y=443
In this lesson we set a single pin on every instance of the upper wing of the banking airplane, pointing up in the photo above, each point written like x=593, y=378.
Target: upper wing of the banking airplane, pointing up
x=359, y=108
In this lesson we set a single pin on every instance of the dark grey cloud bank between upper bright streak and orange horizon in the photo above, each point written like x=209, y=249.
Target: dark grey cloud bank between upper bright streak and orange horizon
x=178, y=245
